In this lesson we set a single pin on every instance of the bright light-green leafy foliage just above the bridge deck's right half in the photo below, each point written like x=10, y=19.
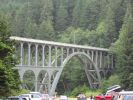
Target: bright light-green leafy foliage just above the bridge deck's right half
x=82, y=37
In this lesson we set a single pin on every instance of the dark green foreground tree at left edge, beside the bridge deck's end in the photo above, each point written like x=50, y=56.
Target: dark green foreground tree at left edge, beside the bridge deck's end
x=9, y=79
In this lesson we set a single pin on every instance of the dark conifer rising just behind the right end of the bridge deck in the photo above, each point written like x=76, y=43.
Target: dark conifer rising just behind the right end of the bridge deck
x=110, y=33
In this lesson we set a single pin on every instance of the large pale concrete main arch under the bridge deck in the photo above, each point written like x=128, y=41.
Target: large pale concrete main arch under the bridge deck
x=88, y=58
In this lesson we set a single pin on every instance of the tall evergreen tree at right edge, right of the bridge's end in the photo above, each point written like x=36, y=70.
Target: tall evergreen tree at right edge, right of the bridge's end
x=124, y=50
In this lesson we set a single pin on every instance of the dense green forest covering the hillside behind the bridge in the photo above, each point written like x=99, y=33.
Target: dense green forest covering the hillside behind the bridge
x=99, y=23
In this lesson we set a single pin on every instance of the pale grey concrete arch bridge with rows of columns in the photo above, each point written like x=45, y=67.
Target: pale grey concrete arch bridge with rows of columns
x=42, y=62
